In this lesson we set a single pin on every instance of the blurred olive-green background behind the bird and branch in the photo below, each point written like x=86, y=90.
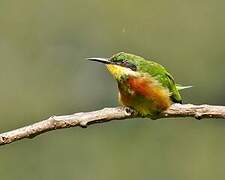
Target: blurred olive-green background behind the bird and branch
x=43, y=71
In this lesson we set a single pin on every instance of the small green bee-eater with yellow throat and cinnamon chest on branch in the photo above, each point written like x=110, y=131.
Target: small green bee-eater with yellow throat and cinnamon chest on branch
x=143, y=85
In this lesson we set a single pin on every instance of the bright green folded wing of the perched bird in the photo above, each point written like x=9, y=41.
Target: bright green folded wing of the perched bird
x=163, y=77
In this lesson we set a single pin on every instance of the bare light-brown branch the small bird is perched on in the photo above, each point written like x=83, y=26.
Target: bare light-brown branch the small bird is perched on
x=105, y=115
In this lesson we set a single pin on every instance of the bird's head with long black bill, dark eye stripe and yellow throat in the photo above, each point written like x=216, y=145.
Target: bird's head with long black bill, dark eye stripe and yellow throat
x=121, y=64
